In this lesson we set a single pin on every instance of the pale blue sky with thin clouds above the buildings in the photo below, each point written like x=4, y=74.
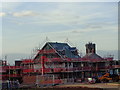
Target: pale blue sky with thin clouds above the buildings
x=25, y=26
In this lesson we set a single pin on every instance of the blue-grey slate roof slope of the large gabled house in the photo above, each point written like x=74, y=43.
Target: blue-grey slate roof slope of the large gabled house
x=64, y=47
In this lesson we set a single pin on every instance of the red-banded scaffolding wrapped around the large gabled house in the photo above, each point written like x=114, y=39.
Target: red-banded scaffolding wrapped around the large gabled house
x=52, y=66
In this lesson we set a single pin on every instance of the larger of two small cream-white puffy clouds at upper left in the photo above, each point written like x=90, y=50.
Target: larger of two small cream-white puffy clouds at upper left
x=24, y=13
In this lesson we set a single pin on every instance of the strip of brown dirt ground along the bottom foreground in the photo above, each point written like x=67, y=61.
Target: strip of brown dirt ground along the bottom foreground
x=77, y=86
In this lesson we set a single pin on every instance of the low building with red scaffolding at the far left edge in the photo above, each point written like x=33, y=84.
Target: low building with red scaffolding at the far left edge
x=11, y=73
